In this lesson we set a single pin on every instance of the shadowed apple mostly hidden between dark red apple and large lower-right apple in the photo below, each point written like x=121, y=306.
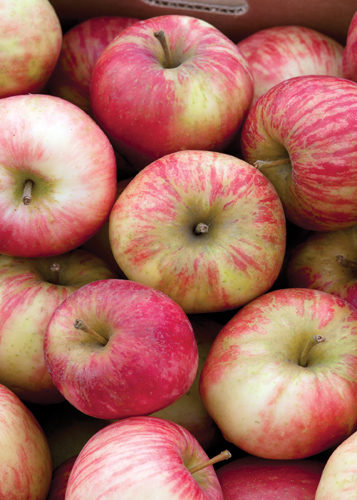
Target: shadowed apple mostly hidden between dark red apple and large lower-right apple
x=189, y=411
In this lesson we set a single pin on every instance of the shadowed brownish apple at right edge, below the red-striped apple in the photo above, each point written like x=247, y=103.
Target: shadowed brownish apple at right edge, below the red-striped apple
x=315, y=263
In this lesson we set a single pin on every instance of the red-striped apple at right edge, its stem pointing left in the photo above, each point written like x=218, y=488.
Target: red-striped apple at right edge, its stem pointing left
x=301, y=135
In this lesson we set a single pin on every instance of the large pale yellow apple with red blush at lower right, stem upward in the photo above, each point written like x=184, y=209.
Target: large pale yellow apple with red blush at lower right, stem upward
x=263, y=395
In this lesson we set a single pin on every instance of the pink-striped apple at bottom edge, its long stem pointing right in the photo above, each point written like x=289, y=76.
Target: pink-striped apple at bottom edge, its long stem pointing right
x=142, y=457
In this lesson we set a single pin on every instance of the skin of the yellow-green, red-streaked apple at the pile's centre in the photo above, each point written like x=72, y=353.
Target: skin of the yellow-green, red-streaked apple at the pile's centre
x=152, y=224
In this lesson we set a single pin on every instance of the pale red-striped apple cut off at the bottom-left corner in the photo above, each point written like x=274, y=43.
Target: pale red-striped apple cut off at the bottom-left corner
x=26, y=466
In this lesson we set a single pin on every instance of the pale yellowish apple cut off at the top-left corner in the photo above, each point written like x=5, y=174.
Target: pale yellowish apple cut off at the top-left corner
x=31, y=39
